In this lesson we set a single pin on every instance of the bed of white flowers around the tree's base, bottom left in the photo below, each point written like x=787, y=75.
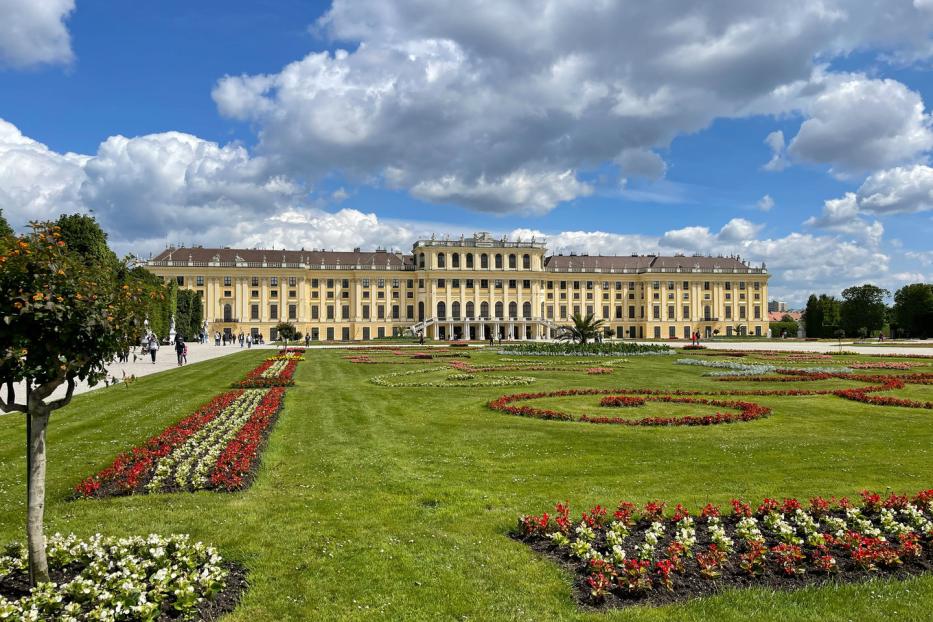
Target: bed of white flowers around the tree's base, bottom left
x=153, y=578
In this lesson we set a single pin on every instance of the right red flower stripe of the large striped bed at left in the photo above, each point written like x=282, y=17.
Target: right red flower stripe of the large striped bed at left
x=239, y=458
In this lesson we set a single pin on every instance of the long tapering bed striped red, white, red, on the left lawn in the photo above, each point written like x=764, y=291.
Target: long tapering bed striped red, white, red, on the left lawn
x=216, y=448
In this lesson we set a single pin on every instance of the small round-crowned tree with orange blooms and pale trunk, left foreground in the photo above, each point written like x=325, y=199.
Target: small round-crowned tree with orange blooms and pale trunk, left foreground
x=63, y=321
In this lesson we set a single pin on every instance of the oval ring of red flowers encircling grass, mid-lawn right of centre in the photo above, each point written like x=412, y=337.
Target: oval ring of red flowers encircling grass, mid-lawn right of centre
x=747, y=411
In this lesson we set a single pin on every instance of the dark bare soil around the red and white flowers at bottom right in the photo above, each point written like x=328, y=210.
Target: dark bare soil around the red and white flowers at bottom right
x=691, y=584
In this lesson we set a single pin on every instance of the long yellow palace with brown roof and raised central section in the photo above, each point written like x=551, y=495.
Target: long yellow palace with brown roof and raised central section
x=471, y=288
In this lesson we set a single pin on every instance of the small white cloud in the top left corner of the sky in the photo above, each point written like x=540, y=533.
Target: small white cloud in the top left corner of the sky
x=33, y=32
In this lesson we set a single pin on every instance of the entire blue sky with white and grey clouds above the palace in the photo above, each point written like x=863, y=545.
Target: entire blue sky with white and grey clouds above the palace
x=794, y=134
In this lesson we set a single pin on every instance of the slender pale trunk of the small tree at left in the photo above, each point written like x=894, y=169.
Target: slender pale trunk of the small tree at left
x=38, y=418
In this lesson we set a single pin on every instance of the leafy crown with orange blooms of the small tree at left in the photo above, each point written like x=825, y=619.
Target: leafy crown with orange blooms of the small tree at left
x=62, y=318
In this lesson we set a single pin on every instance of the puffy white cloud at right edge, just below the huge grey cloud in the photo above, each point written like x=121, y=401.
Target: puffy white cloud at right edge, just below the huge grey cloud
x=863, y=124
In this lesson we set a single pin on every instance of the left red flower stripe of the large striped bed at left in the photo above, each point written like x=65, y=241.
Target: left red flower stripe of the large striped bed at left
x=128, y=469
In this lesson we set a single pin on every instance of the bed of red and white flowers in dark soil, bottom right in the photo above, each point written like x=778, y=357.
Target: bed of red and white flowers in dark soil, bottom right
x=641, y=556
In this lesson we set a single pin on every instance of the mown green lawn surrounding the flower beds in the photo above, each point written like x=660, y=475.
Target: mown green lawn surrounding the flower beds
x=394, y=503
